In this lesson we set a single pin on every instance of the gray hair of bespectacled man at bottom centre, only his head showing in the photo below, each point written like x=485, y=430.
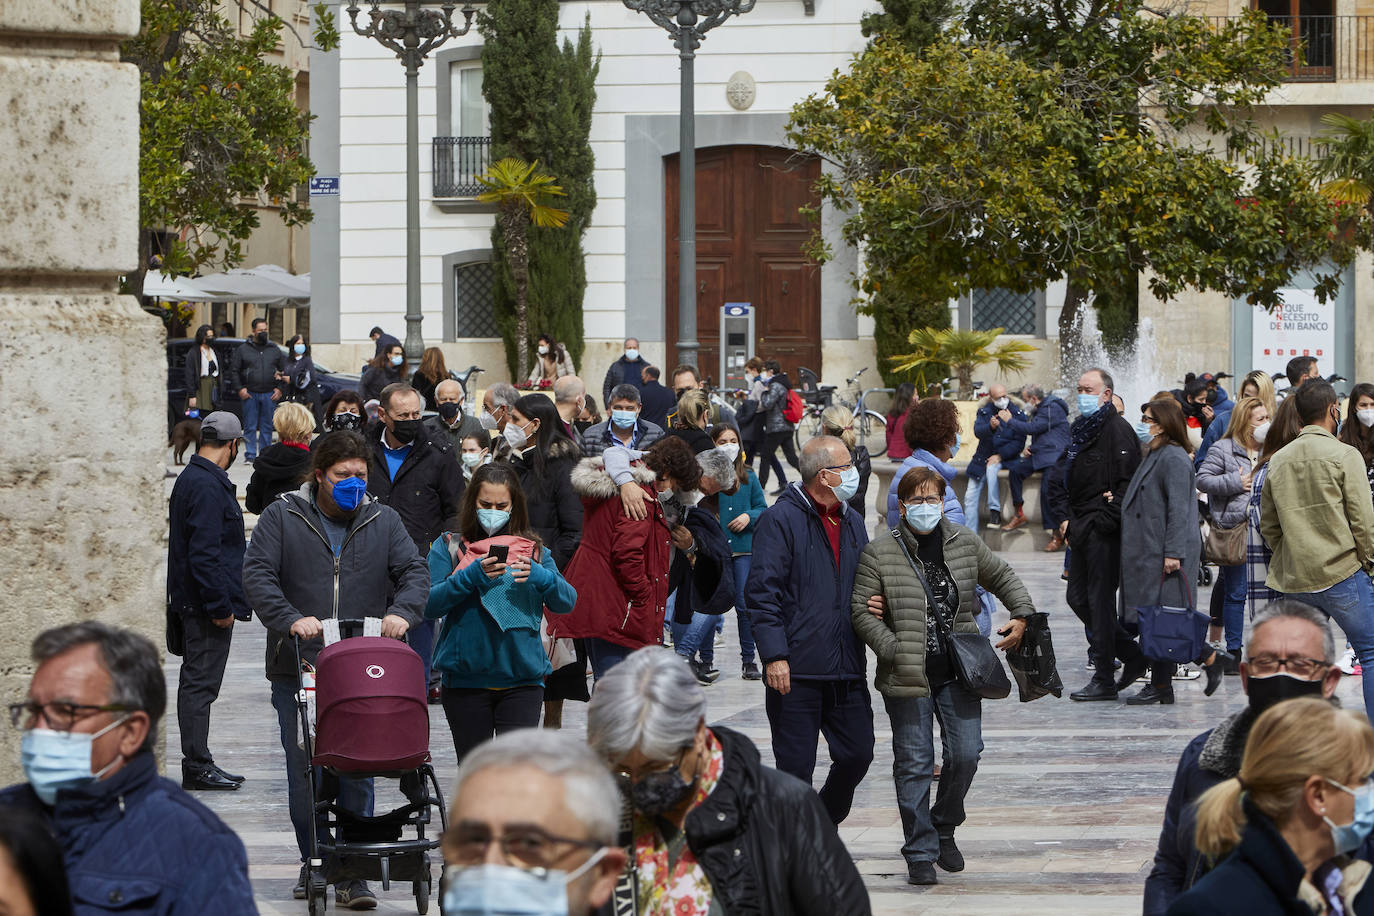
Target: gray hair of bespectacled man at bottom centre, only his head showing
x=589, y=788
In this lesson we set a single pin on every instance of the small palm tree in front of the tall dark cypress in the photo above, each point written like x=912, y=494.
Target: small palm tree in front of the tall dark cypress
x=521, y=193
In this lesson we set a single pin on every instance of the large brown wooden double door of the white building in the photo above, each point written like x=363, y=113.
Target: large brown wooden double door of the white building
x=751, y=238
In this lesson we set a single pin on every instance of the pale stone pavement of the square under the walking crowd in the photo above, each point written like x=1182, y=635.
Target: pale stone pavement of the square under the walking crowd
x=1063, y=816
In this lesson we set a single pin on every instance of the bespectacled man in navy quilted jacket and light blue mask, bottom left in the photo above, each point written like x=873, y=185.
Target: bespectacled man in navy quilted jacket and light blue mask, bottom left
x=131, y=840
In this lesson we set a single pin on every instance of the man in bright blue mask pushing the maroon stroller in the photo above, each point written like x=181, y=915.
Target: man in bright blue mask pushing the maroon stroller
x=329, y=551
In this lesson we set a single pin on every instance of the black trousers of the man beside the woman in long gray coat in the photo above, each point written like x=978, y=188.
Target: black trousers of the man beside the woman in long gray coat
x=1094, y=575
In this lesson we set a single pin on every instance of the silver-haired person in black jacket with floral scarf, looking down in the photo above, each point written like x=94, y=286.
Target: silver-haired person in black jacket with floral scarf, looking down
x=714, y=829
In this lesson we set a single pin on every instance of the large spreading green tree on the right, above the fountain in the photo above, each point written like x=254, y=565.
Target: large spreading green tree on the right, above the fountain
x=1089, y=141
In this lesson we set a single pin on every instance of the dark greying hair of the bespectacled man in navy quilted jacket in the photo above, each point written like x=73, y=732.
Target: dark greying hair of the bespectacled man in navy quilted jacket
x=133, y=663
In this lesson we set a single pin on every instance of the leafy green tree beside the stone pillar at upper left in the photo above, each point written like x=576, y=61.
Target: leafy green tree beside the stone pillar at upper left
x=219, y=133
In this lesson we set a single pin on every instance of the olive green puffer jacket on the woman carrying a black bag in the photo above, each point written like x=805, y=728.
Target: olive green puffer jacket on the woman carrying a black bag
x=899, y=638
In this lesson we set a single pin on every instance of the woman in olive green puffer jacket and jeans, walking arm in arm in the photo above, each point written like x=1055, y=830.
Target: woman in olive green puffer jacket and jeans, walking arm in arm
x=892, y=615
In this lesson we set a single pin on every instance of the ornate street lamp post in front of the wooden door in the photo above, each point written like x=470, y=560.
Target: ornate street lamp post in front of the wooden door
x=688, y=23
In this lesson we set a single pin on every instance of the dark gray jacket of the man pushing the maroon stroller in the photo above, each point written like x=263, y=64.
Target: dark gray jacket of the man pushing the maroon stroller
x=291, y=572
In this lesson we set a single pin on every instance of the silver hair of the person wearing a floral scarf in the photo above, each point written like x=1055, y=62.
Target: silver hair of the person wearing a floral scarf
x=651, y=702
